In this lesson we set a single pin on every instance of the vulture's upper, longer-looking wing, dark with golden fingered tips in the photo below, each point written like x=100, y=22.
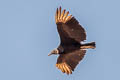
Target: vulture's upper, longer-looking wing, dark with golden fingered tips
x=69, y=29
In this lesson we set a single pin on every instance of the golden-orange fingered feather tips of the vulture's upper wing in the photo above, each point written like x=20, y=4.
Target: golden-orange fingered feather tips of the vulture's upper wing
x=62, y=16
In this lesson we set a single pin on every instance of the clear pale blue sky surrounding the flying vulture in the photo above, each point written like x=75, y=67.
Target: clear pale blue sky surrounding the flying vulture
x=28, y=33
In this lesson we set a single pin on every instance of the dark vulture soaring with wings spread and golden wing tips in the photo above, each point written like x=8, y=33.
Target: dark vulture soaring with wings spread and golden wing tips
x=71, y=51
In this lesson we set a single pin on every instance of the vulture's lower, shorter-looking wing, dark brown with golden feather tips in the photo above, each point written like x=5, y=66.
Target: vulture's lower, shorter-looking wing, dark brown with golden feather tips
x=67, y=62
